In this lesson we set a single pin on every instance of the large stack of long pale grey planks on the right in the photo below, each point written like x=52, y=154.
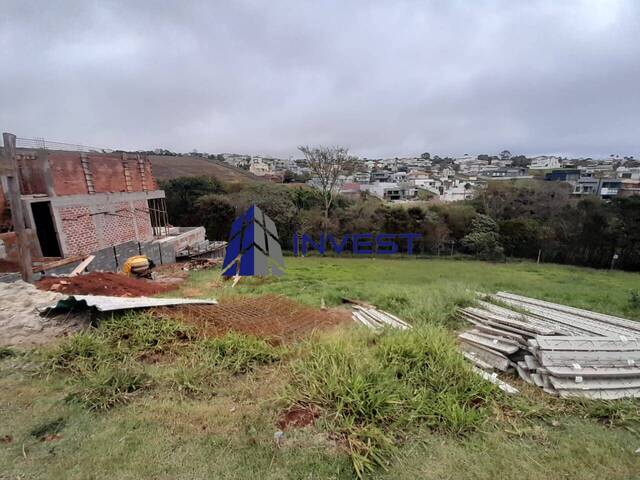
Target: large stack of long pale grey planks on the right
x=567, y=351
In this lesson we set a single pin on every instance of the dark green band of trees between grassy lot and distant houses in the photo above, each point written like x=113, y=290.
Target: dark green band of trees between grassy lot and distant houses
x=524, y=219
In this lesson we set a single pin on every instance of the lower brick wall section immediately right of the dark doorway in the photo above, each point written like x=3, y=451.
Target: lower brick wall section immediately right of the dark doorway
x=79, y=230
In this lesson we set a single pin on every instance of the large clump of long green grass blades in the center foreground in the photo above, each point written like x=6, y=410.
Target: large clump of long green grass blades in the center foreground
x=373, y=389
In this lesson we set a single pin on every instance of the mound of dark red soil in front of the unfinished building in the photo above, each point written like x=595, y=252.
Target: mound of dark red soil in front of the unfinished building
x=104, y=283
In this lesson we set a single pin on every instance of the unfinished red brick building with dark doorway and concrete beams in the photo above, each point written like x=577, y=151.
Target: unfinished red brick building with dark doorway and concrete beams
x=78, y=203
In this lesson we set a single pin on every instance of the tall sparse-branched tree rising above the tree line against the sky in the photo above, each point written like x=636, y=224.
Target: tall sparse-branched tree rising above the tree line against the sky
x=327, y=165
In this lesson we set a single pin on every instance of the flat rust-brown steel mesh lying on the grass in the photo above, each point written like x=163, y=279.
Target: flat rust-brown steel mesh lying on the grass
x=273, y=317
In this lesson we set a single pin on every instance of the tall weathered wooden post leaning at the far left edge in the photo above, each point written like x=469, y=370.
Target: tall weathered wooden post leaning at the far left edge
x=12, y=174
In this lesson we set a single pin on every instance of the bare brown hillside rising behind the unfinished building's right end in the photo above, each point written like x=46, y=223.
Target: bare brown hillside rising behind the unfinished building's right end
x=166, y=168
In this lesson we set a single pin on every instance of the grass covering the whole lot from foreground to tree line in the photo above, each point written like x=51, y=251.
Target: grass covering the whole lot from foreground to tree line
x=144, y=399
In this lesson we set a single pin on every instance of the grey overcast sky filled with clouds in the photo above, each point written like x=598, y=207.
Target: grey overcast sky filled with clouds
x=385, y=78
